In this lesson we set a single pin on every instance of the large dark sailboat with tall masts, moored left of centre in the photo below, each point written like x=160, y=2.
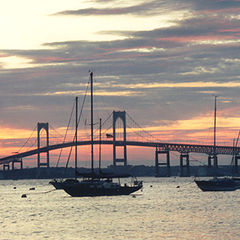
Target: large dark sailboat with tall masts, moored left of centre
x=95, y=183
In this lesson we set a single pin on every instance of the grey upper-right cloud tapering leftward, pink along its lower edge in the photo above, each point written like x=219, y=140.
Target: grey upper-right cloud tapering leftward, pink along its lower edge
x=211, y=28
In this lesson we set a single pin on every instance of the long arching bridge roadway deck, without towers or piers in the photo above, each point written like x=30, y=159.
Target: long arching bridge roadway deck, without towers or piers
x=181, y=148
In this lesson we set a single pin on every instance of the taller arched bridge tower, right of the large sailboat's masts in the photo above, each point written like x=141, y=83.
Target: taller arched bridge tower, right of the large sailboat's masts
x=117, y=146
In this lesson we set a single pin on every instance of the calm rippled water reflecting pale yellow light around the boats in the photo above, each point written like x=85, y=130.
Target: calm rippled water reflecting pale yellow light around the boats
x=162, y=211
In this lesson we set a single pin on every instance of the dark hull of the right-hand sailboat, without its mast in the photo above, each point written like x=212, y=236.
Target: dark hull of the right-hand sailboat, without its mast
x=218, y=185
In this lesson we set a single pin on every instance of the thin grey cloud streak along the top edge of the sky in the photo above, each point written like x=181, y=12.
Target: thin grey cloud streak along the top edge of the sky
x=159, y=6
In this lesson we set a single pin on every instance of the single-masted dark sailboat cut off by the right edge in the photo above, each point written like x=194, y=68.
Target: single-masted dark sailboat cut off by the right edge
x=217, y=183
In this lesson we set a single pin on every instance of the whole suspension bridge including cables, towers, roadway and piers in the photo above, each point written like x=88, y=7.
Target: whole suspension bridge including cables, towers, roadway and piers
x=119, y=139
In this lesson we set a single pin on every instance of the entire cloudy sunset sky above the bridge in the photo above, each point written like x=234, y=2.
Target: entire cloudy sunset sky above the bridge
x=160, y=61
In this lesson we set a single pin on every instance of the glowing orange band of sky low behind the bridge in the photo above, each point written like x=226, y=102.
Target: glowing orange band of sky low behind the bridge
x=197, y=130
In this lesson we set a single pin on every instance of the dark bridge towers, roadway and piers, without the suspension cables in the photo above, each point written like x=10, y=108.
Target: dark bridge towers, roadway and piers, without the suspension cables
x=160, y=148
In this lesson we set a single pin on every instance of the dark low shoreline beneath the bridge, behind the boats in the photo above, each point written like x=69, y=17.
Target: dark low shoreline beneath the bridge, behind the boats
x=138, y=170
